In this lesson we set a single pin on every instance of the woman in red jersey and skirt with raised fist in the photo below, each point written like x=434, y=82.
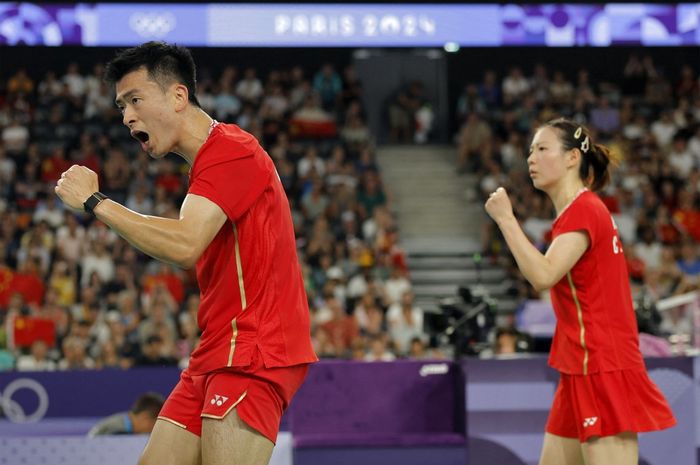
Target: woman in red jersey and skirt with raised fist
x=604, y=397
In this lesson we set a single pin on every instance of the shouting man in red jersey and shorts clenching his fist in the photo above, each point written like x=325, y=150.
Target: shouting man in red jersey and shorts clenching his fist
x=235, y=226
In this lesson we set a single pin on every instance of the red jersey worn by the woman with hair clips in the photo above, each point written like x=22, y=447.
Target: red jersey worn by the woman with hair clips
x=596, y=325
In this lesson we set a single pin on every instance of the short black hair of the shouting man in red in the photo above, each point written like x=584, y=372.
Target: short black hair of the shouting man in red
x=164, y=63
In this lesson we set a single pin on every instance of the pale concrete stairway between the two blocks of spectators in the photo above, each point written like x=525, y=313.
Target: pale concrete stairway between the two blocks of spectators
x=440, y=225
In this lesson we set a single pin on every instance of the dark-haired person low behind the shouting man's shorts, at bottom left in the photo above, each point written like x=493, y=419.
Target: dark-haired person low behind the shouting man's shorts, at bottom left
x=140, y=419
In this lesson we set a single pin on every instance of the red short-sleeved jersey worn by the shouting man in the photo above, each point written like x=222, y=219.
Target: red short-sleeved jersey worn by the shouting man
x=249, y=275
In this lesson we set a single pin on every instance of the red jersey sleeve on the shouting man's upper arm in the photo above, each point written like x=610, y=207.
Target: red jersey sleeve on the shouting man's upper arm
x=234, y=185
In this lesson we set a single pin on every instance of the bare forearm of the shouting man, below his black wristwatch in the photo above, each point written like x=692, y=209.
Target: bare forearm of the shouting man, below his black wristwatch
x=162, y=238
